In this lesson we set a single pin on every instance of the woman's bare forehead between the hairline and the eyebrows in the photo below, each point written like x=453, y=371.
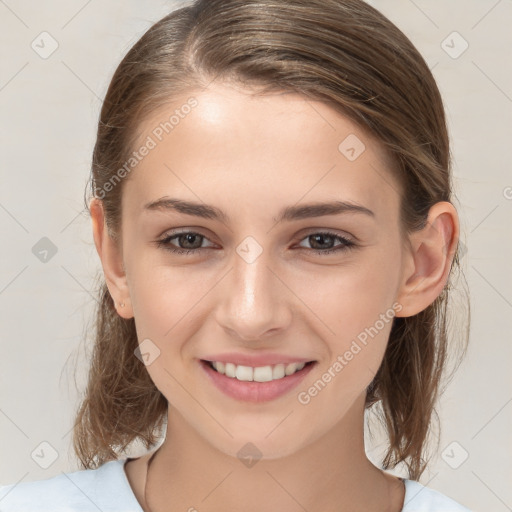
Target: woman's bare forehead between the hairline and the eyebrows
x=226, y=142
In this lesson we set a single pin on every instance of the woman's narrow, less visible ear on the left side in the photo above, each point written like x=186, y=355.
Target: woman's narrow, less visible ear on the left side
x=110, y=254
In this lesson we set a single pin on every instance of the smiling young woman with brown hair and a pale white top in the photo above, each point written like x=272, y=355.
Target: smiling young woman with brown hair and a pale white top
x=272, y=210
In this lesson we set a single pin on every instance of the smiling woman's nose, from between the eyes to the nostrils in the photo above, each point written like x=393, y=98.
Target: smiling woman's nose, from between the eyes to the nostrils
x=254, y=300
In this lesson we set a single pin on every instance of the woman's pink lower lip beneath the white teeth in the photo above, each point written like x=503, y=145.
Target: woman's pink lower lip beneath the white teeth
x=255, y=391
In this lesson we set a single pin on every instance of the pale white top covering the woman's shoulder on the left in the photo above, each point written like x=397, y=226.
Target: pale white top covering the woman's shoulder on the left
x=106, y=489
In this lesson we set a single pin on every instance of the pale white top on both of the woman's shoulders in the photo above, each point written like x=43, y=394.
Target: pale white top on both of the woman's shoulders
x=107, y=489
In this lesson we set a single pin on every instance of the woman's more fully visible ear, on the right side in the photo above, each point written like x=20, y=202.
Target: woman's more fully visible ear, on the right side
x=428, y=259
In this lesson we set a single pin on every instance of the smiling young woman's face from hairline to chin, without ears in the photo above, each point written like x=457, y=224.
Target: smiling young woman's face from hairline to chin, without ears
x=250, y=283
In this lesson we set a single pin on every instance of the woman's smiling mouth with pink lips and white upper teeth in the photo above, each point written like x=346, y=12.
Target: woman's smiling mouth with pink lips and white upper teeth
x=255, y=384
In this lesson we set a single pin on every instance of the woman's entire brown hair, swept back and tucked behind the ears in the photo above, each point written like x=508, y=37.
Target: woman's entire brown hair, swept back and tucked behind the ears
x=344, y=53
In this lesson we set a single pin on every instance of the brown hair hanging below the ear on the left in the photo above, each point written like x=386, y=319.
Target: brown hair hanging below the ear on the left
x=121, y=402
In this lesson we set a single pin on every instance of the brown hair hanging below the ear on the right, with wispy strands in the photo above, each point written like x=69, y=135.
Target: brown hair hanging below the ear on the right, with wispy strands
x=412, y=377
